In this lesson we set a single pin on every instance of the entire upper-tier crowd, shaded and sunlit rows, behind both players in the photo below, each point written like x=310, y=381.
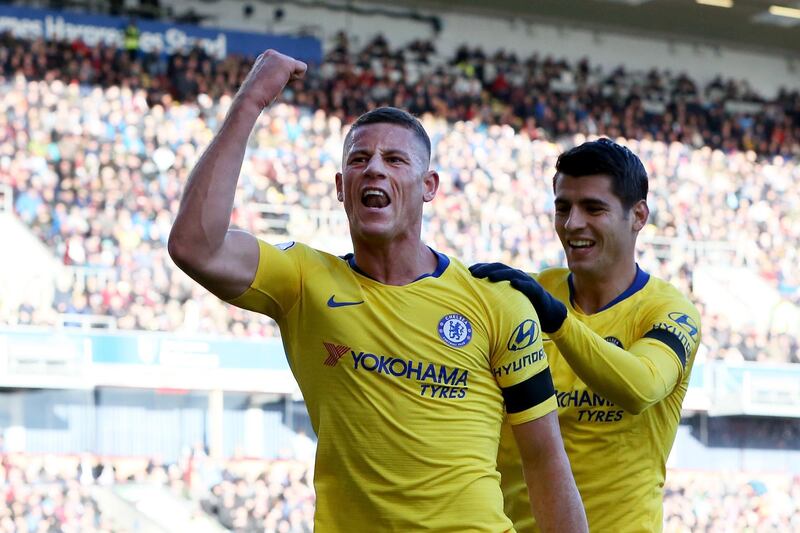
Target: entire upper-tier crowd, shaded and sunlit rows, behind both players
x=96, y=160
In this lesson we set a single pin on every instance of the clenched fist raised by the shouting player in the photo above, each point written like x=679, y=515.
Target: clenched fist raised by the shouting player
x=269, y=75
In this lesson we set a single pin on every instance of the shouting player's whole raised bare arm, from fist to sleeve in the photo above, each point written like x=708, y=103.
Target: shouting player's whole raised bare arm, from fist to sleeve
x=201, y=243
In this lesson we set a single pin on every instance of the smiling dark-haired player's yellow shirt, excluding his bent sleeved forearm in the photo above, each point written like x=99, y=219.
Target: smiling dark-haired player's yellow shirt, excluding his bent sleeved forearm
x=618, y=458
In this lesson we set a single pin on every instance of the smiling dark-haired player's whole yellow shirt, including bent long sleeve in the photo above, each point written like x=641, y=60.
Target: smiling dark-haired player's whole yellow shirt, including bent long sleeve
x=617, y=449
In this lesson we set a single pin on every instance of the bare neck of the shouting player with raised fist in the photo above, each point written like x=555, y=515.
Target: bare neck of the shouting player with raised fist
x=395, y=263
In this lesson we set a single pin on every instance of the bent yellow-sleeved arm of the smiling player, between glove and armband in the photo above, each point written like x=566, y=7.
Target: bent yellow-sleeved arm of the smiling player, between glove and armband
x=634, y=379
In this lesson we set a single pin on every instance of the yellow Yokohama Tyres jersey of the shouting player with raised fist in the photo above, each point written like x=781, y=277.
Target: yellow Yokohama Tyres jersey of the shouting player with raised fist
x=405, y=387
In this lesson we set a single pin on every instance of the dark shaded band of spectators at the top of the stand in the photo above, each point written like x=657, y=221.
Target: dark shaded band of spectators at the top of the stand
x=544, y=96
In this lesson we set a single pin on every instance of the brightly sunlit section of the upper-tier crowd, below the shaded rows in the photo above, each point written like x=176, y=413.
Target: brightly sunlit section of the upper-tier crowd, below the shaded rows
x=102, y=196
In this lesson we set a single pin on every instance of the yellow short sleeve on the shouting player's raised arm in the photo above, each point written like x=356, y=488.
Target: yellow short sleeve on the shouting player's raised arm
x=278, y=280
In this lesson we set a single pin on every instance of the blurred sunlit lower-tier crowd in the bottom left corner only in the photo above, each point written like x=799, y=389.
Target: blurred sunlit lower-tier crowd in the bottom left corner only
x=50, y=494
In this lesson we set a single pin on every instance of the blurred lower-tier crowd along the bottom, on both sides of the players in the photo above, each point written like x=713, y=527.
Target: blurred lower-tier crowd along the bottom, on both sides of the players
x=51, y=494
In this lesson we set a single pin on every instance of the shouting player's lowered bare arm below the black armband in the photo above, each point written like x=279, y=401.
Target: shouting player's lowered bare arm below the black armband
x=554, y=497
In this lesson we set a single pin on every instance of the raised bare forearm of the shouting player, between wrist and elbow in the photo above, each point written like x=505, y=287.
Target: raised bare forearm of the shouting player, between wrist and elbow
x=205, y=210
